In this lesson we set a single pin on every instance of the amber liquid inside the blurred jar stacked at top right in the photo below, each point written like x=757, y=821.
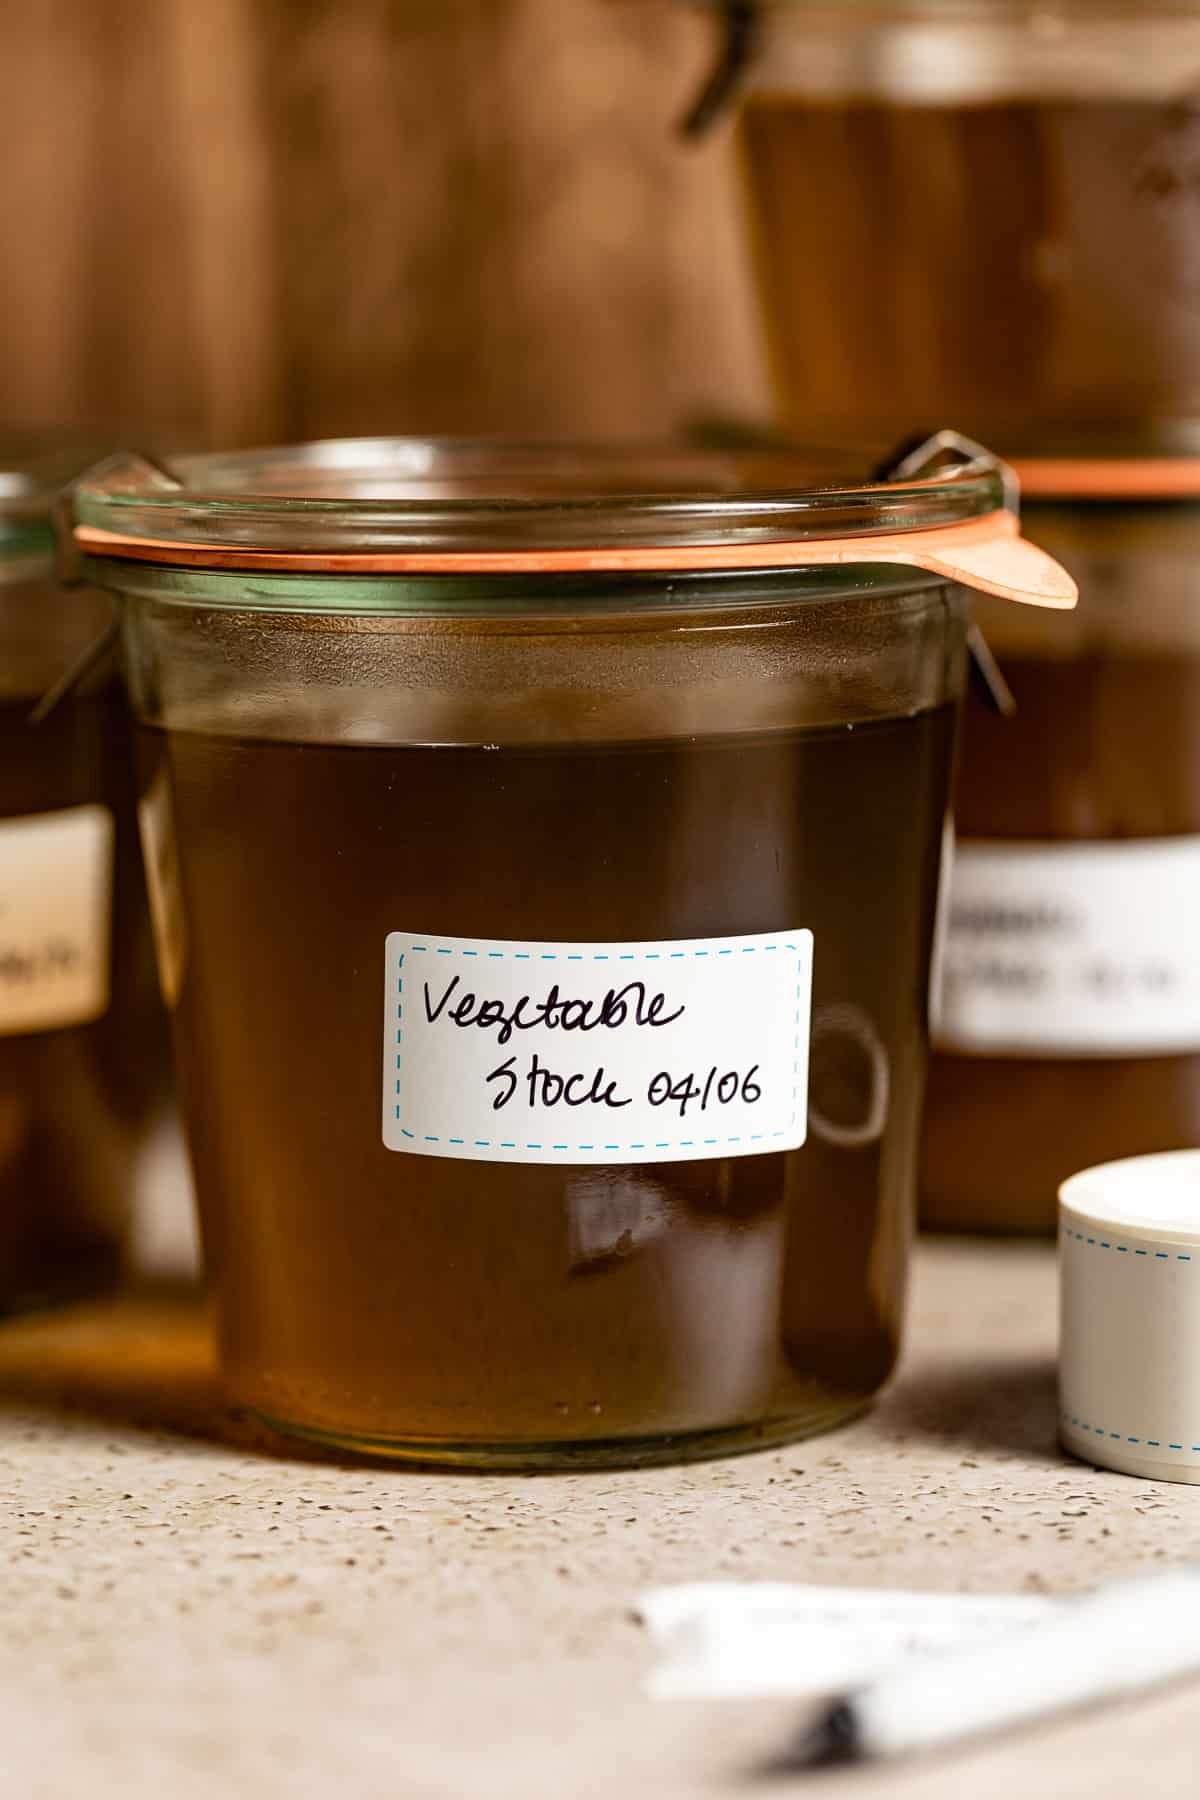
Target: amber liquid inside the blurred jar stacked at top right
x=983, y=267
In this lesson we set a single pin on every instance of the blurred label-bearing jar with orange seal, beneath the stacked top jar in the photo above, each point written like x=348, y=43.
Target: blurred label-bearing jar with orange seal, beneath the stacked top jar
x=1071, y=976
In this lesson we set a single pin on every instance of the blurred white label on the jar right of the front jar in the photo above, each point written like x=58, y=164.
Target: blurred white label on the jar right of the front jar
x=1071, y=949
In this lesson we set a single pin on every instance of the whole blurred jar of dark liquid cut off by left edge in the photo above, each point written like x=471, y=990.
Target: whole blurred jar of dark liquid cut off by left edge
x=82, y=1032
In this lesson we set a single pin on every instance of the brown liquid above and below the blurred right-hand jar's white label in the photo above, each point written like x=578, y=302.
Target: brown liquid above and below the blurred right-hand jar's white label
x=1102, y=748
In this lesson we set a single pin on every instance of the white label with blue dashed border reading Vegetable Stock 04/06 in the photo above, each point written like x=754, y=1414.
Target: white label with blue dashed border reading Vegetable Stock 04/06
x=510, y=1052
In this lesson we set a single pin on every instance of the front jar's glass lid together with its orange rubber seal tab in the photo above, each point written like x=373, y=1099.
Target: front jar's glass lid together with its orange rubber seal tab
x=409, y=507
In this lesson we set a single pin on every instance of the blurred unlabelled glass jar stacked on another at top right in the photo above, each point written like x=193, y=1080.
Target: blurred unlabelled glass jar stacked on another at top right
x=983, y=210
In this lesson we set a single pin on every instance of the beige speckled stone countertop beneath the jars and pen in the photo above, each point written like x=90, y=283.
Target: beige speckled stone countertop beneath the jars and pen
x=192, y=1610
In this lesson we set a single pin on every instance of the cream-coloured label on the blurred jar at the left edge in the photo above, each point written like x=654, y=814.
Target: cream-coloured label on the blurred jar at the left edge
x=57, y=872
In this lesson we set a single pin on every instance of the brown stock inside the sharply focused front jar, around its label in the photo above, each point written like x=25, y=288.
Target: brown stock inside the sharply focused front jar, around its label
x=415, y=1302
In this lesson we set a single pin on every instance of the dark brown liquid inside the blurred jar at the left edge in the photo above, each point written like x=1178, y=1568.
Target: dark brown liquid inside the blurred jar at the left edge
x=75, y=1102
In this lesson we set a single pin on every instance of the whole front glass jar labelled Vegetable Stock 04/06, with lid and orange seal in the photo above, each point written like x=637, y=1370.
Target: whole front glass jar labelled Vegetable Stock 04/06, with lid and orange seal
x=517, y=811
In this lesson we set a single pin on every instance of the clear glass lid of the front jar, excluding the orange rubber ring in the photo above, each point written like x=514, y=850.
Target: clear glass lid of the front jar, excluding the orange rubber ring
x=443, y=496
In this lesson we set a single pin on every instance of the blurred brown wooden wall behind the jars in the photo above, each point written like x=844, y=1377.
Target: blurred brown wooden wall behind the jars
x=249, y=220
